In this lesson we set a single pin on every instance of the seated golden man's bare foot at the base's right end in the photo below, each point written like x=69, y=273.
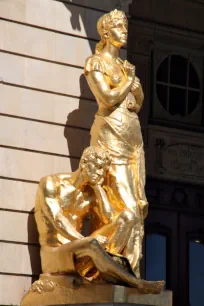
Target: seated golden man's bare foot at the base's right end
x=150, y=287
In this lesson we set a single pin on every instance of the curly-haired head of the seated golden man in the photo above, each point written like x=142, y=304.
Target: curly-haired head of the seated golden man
x=94, y=163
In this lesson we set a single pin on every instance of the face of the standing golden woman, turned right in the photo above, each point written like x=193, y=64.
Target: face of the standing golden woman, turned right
x=118, y=33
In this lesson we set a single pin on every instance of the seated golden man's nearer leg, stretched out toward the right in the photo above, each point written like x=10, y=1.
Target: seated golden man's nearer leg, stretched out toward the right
x=102, y=261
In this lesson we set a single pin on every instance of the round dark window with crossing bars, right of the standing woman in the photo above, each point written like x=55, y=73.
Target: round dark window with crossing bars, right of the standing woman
x=178, y=86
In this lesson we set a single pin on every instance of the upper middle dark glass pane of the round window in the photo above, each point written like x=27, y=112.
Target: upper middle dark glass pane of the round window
x=178, y=74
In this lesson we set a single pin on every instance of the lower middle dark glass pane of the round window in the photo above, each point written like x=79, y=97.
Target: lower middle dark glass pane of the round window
x=177, y=101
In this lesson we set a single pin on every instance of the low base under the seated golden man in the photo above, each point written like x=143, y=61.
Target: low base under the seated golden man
x=58, y=290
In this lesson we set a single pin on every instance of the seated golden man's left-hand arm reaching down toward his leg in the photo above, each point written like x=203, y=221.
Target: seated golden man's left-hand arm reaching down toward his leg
x=52, y=209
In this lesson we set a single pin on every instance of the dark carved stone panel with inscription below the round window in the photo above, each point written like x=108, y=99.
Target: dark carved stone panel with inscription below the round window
x=175, y=155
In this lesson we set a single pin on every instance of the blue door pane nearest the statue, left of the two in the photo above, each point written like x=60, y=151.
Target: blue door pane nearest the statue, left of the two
x=156, y=257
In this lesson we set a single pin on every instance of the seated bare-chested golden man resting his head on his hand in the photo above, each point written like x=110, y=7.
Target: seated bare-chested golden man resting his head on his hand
x=62, y=203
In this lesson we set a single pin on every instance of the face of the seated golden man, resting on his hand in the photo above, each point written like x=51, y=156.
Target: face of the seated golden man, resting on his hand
x=94, y=171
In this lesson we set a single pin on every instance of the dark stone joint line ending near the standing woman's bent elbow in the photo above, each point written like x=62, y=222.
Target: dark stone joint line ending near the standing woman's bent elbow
x=44, y=90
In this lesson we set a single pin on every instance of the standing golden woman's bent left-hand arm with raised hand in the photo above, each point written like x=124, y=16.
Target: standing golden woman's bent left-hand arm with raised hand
x=104, y=93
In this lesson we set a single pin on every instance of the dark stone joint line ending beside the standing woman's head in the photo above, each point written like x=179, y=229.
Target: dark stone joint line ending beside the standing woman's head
x=48, y=29
